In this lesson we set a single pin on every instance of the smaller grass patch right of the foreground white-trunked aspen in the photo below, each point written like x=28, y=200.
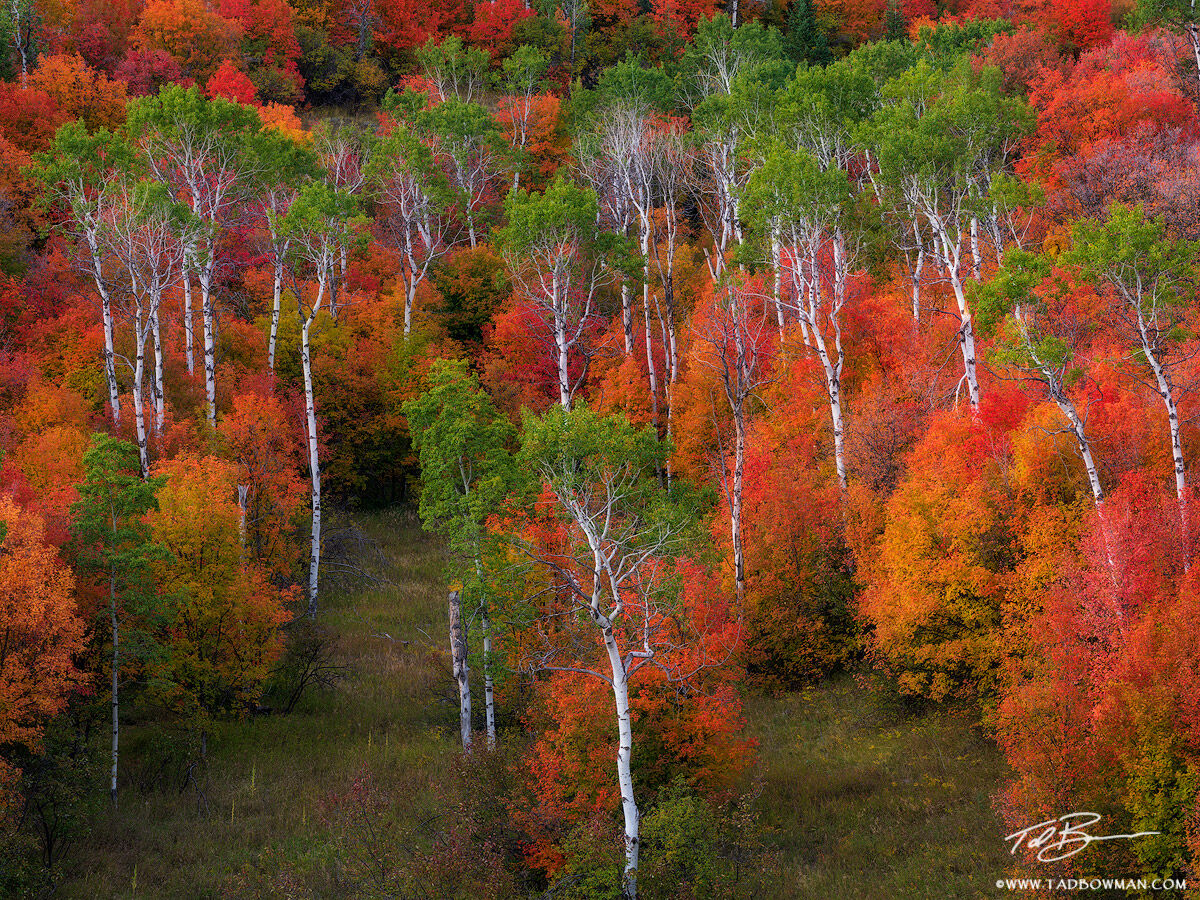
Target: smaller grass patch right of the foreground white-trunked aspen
x=865, y=801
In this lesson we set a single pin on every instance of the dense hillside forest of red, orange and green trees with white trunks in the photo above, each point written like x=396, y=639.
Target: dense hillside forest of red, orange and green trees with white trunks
x=724, y=347
